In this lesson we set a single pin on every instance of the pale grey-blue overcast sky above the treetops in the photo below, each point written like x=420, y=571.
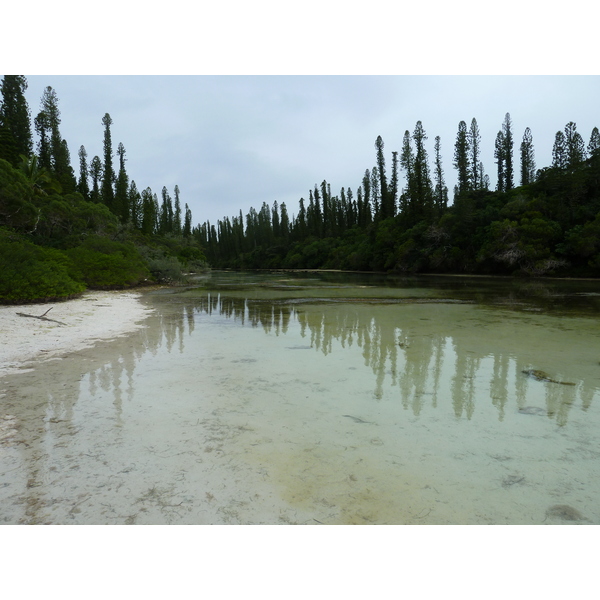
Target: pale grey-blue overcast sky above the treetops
x=232, y=142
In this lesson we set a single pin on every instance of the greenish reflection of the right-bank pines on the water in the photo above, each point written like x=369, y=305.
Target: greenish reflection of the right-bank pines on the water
x=413, y=344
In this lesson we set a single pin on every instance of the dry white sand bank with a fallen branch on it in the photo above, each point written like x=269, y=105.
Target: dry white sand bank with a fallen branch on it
x=97, y=315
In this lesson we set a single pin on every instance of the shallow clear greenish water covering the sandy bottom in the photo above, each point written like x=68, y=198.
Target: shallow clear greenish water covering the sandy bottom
x=319, y=398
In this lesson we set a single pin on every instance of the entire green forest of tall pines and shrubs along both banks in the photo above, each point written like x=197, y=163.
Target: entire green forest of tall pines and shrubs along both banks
x=61, y=234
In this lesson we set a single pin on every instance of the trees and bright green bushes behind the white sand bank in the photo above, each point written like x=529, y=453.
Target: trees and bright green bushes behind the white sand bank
x=60, y=235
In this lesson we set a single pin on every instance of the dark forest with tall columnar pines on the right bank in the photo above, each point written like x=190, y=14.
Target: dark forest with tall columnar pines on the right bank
x=549, y=224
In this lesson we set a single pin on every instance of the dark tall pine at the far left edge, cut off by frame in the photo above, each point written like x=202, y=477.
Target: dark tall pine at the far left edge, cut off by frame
x=15, y=117
